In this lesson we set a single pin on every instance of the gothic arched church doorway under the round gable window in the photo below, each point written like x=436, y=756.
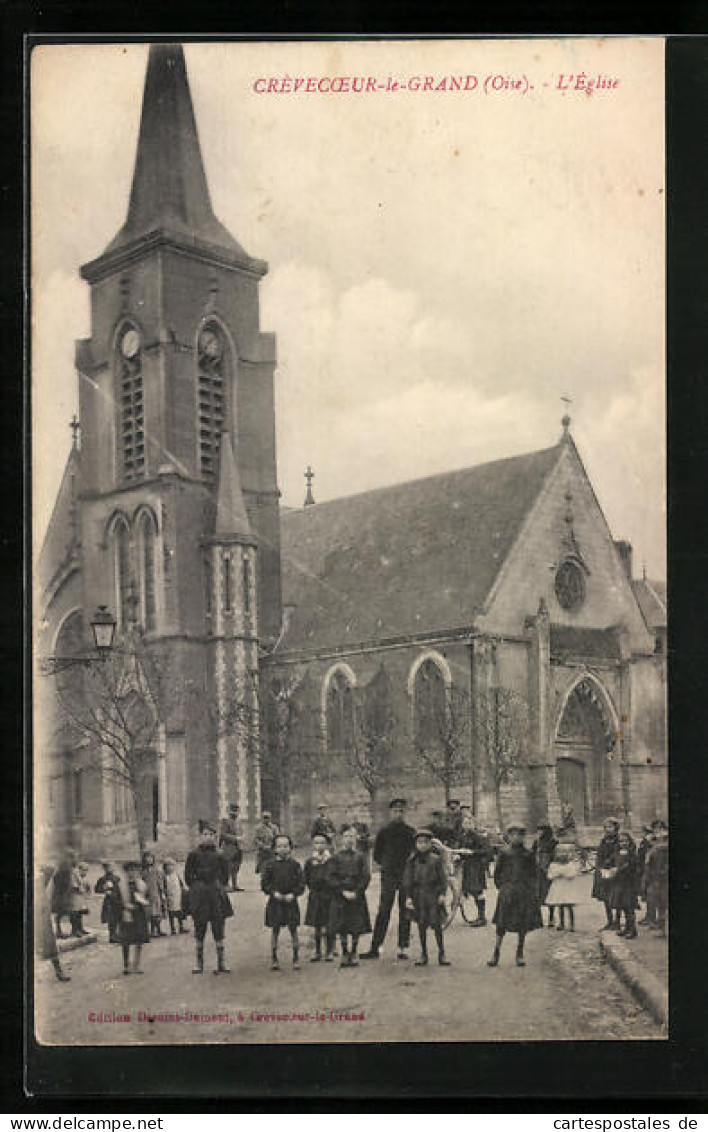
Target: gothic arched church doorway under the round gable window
x=586, y=756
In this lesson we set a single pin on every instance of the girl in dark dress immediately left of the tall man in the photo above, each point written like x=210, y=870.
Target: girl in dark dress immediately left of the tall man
x=349, y=879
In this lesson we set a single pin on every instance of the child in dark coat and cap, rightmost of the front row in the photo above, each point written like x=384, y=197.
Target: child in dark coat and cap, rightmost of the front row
x=518, y=908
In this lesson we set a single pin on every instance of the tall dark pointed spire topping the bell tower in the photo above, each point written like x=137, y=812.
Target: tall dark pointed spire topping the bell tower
x=169, y=184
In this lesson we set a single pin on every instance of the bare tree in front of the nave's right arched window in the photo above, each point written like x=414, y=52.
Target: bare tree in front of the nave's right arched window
x=442, y=737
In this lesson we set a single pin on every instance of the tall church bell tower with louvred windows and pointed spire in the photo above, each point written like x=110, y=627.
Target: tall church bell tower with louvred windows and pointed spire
x=176, y=399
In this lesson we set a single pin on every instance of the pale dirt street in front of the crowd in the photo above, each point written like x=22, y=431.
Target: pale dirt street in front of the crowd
x=566, y=992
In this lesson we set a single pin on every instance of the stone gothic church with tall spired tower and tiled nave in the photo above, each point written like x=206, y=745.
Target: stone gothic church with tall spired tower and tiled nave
x=476, y=633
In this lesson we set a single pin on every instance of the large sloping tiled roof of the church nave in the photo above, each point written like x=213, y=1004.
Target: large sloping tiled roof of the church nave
x=406, y=560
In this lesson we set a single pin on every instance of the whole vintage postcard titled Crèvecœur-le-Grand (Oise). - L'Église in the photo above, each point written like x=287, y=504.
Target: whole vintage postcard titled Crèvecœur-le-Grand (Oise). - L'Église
x=348, y=392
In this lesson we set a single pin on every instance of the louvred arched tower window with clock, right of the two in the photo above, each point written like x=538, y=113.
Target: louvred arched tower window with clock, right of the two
x=212, y=396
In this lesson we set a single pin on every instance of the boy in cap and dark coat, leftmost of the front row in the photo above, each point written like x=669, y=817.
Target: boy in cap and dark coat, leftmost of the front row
x=207, y=876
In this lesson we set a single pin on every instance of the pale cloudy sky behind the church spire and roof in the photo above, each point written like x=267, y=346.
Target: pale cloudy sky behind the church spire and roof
x=445, y=265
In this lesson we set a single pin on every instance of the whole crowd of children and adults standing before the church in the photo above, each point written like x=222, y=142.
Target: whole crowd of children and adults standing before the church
x=415, y=865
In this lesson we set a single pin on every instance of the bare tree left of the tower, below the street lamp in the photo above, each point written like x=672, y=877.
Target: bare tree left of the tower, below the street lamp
x=112, y=716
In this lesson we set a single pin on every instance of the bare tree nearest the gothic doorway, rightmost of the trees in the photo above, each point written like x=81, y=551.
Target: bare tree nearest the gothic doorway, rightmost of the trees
x=501, y=731
